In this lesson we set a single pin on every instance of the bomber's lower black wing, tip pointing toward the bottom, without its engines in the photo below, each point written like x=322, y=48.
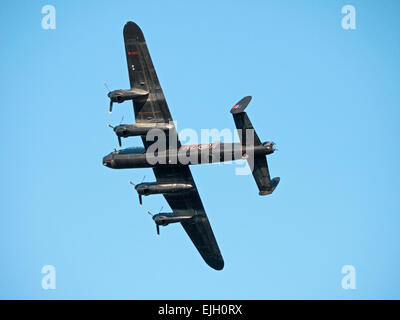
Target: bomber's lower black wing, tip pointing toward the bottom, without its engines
x=189, y=203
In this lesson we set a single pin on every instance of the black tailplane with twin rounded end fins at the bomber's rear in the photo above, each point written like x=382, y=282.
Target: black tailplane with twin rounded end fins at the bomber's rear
x=258, y=164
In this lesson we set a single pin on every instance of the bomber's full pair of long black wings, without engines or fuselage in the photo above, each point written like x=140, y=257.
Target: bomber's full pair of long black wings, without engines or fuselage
x=142, y=75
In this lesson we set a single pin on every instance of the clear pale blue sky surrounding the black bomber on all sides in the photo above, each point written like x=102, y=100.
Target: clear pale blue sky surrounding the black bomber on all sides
x=328, y=97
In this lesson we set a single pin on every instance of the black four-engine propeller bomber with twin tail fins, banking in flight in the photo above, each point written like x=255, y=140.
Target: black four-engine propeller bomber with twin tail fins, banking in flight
x=169, y=159
